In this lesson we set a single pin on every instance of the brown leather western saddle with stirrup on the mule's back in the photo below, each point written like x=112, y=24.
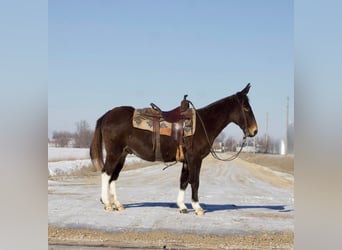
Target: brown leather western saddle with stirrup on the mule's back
x=176, y=117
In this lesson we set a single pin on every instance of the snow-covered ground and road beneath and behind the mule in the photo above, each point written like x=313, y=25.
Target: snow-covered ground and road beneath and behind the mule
x=238, y=196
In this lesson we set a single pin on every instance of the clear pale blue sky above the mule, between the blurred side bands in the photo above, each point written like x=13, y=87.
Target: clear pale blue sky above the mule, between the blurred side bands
x=109, y=53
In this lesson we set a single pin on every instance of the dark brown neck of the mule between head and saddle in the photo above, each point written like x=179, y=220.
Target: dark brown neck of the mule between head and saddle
x=216, y=116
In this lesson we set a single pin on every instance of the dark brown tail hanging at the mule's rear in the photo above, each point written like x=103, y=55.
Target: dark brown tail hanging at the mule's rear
x=96, y=151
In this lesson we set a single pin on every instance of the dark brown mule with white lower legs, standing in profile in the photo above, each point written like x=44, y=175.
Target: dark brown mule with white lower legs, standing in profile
x=114, y=130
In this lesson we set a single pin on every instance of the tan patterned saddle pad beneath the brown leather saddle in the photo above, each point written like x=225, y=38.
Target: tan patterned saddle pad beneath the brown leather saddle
x=141, y=121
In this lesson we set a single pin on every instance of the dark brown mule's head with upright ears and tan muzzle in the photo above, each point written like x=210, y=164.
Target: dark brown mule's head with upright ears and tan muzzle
x=245, y=118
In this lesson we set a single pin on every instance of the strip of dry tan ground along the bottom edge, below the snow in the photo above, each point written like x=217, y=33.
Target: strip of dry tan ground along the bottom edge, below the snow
x=78, y=238
